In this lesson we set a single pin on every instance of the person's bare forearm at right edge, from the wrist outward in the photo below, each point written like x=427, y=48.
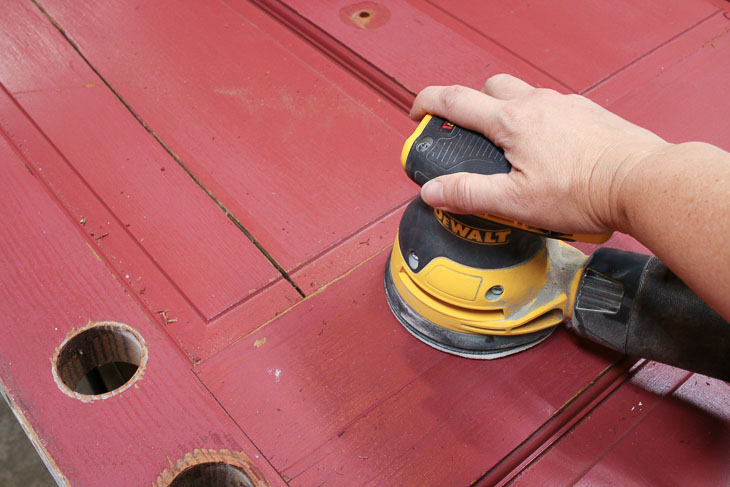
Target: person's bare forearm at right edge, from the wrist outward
x=677, y=203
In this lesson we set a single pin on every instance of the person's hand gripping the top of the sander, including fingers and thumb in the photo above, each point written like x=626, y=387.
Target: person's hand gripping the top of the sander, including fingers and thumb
x=569, y=156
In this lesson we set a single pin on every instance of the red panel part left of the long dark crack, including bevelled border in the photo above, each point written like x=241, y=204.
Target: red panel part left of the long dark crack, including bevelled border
x=159, y=231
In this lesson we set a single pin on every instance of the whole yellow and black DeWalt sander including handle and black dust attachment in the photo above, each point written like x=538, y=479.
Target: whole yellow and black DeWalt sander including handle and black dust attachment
x=482, y=286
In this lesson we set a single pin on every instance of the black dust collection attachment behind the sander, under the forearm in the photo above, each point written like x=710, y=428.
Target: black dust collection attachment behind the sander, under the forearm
x=634, y=304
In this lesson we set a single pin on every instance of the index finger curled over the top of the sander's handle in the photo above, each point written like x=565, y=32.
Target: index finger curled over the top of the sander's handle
x=463, y=106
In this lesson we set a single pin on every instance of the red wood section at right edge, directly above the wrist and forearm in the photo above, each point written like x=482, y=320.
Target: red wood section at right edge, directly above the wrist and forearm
x=681, y=90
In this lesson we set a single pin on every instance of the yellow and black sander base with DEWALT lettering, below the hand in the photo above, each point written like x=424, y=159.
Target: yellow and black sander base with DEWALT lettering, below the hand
x=482, y=299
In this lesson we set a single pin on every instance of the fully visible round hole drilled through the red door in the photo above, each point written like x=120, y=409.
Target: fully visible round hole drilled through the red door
x=99, y=360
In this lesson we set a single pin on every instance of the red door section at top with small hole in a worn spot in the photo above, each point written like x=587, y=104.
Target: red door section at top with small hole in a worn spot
x=572, y=45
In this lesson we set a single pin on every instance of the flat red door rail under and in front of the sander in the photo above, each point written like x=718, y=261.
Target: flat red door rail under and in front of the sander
x=339, y=392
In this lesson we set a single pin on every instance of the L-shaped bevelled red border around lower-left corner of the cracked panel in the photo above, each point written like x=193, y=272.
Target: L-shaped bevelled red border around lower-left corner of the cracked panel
x=126, y=255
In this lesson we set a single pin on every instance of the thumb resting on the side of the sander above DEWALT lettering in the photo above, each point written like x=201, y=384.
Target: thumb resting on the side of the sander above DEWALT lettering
x=467, y=193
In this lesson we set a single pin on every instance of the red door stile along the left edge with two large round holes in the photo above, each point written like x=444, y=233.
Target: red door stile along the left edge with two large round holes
x=53, y=282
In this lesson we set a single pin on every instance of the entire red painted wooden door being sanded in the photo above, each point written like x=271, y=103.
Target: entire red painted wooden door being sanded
x=291, y=117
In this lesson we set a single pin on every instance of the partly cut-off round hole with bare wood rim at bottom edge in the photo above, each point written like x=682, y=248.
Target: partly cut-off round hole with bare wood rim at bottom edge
x=212, y=468
